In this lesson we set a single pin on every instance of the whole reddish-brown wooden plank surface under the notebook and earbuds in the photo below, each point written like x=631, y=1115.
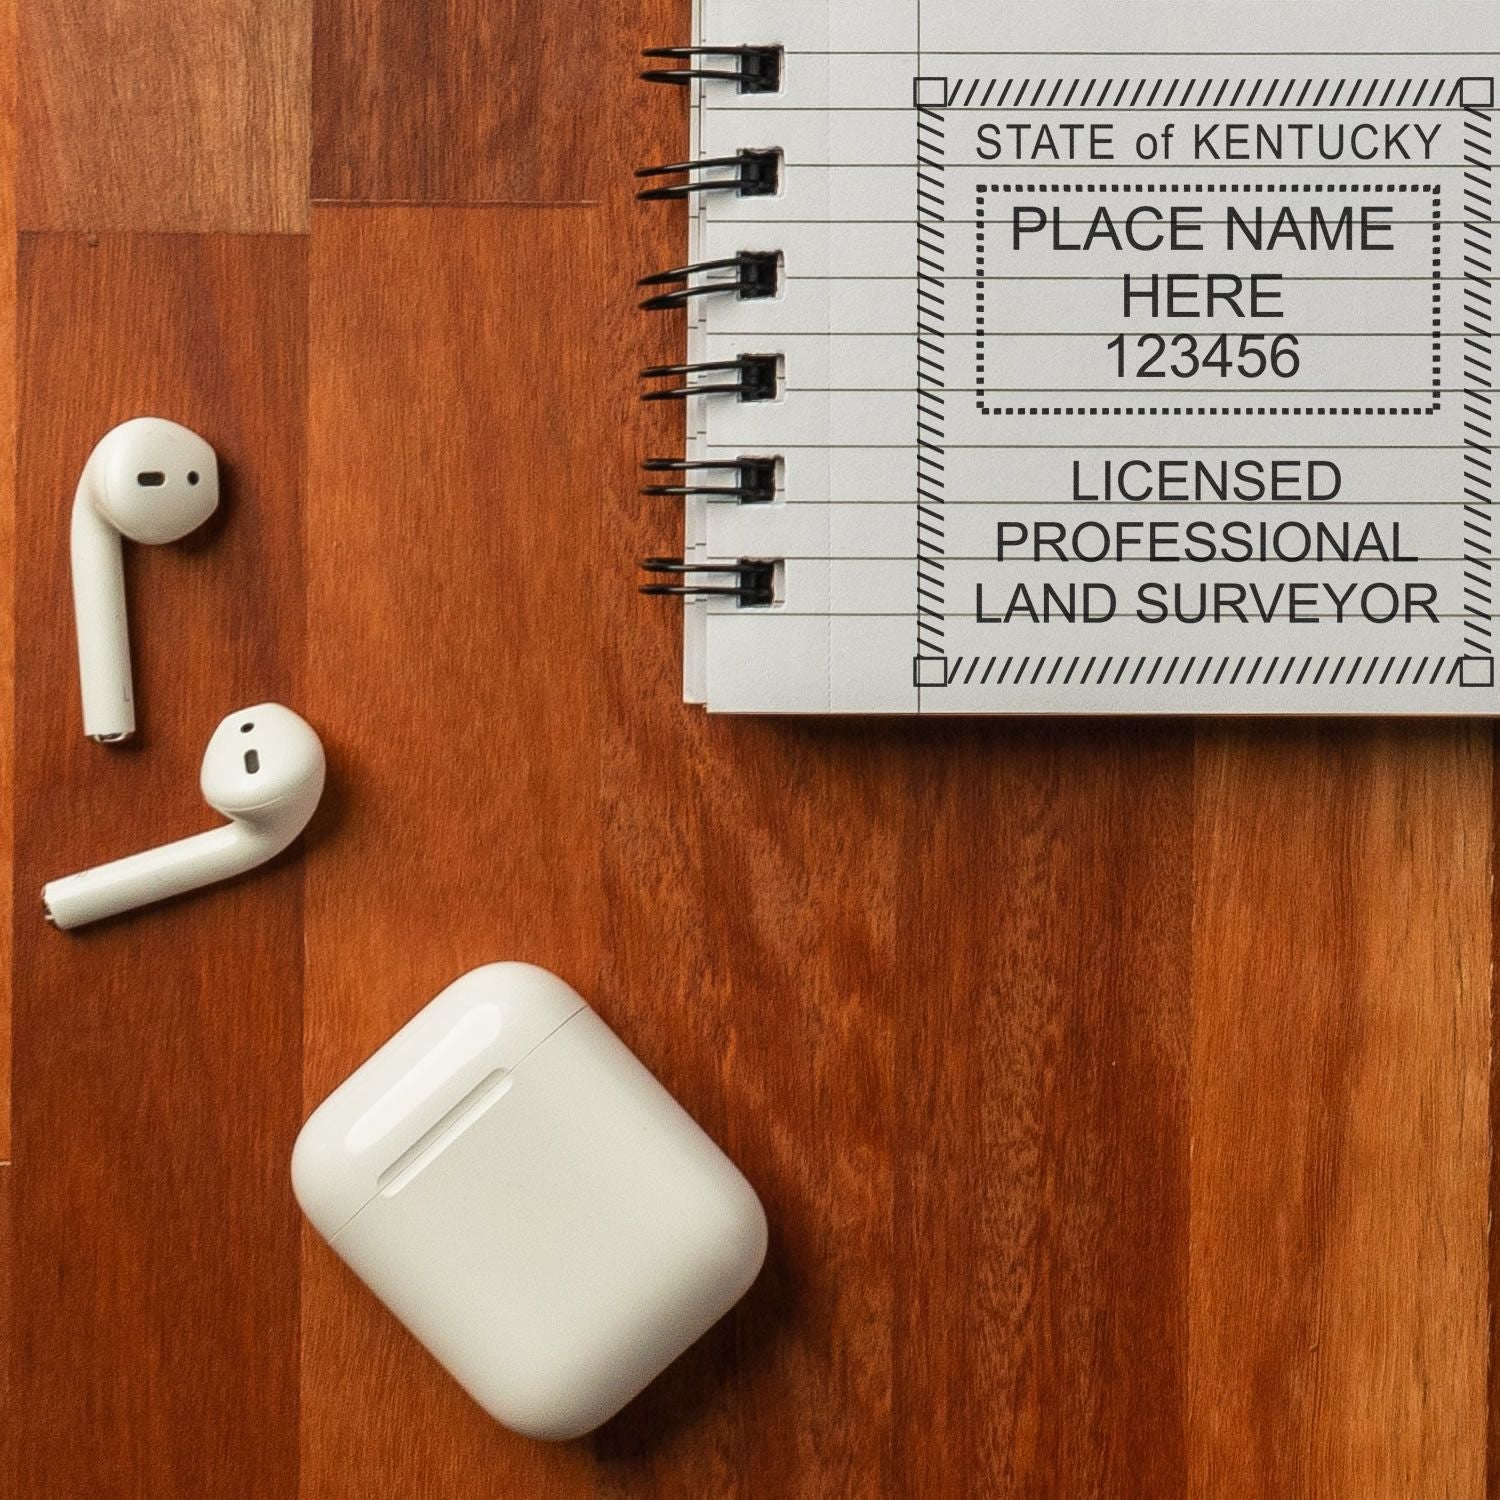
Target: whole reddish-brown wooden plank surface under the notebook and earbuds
x=1121, y=1094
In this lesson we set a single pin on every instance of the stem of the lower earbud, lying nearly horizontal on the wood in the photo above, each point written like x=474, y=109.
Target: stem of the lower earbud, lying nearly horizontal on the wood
x=158, y=874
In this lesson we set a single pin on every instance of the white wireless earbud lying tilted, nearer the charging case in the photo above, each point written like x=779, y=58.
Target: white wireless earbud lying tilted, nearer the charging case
x=263, y=770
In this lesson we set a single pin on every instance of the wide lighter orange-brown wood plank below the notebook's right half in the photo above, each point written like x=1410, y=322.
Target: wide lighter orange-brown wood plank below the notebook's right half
x=1340, y=1111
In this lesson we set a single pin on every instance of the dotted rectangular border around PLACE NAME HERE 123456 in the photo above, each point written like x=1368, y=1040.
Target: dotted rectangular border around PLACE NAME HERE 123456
x=1213, y=412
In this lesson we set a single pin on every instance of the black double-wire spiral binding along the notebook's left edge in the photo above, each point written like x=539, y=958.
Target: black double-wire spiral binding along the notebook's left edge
x=749, y=377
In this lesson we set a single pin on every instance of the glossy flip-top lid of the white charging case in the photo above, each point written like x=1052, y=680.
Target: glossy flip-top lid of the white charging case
x=482, y=1025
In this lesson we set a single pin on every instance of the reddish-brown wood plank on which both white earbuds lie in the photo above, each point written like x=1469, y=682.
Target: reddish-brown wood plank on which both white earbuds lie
x=158, y=1058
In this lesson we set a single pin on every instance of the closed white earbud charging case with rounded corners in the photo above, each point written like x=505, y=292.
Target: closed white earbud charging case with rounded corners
x=515, y=1186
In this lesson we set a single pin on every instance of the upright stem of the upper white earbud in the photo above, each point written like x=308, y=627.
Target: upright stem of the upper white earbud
x=104, y=638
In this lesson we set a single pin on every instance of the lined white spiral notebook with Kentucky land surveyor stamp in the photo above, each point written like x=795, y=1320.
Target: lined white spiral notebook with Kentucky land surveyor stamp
x=1084, y=358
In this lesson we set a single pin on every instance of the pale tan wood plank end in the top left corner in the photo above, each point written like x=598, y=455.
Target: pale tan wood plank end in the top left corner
x=158, y=116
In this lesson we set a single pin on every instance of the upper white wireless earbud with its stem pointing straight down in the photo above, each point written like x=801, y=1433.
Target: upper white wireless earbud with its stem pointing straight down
x=151, y=481
